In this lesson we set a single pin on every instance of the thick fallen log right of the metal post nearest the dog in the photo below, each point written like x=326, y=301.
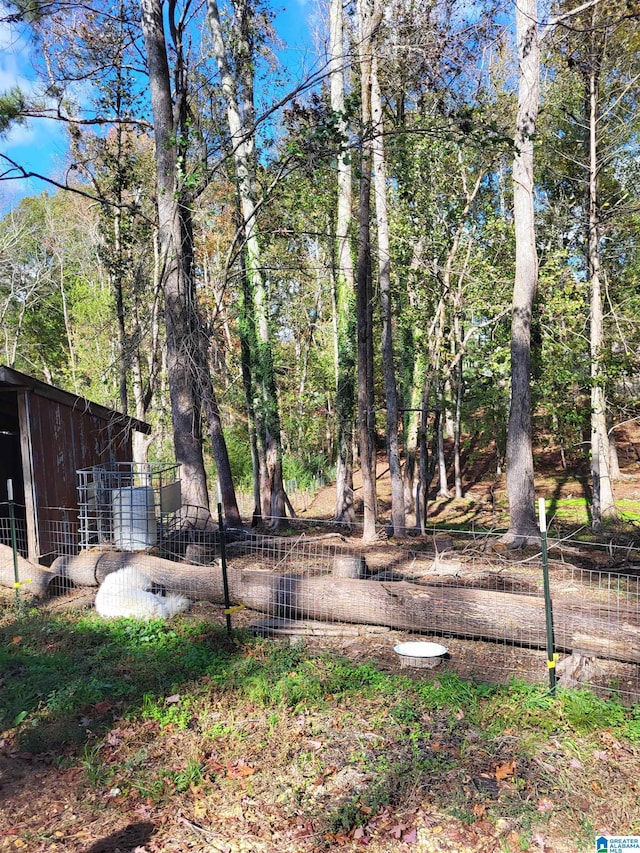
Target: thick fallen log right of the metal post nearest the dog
x=594, y=629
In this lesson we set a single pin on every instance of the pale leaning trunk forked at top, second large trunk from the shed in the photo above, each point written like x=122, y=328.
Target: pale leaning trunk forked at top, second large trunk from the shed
x=242, y=130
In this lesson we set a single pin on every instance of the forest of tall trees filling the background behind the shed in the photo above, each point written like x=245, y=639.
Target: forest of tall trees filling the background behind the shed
x=430, y=233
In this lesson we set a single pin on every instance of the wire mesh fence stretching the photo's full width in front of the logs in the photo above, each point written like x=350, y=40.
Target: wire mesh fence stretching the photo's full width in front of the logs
x=318, y=586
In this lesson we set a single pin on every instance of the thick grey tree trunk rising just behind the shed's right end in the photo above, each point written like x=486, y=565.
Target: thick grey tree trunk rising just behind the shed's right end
x=175, y=264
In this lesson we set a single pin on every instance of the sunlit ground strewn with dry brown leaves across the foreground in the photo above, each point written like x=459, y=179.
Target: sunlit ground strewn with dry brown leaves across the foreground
x=373, y=769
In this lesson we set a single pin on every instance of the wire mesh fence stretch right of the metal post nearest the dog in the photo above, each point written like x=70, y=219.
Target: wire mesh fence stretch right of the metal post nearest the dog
x=488, y=610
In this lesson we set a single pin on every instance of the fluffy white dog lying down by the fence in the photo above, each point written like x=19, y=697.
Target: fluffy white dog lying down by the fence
x=127, y=592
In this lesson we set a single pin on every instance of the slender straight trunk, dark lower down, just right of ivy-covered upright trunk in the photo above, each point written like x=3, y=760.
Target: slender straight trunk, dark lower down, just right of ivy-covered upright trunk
x=366, y=414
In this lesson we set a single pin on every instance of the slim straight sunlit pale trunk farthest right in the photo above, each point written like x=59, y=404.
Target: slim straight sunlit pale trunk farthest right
x=603, y=505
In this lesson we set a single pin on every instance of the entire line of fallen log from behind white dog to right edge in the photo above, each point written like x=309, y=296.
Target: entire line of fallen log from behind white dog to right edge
x=579, y=626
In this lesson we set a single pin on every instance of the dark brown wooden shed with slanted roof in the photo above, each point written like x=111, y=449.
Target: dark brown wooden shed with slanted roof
x=46, y=435
